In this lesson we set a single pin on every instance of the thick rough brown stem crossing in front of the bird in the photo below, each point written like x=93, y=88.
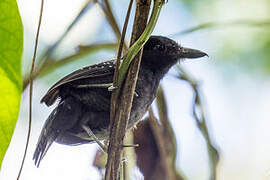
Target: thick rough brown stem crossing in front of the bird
x=120, y=118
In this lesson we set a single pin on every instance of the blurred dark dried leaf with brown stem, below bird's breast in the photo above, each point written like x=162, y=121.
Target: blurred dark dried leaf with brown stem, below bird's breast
x=156, y=155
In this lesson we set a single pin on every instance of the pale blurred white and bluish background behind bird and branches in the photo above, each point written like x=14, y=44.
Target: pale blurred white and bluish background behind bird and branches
x=234, y=81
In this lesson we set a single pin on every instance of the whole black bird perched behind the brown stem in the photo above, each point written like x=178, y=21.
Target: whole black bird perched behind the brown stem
x=85, y=98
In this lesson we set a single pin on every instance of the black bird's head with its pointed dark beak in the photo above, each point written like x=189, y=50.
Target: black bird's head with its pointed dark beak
x=161, y=53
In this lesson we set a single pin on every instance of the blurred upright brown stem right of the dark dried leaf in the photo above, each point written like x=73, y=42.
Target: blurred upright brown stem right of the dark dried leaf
x=165, y=141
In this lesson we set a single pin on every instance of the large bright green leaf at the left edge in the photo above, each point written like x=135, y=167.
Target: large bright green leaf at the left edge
x=11, y=46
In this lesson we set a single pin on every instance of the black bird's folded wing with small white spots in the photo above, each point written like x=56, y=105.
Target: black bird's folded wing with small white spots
x=95, y=76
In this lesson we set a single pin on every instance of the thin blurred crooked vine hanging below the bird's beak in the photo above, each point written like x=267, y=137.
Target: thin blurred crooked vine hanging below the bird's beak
x=201, y=122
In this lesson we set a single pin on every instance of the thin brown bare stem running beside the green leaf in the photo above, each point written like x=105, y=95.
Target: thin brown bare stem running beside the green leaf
x=31, y=88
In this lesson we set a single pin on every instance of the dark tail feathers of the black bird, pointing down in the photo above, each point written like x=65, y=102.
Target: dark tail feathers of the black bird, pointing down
x=46, y=138
